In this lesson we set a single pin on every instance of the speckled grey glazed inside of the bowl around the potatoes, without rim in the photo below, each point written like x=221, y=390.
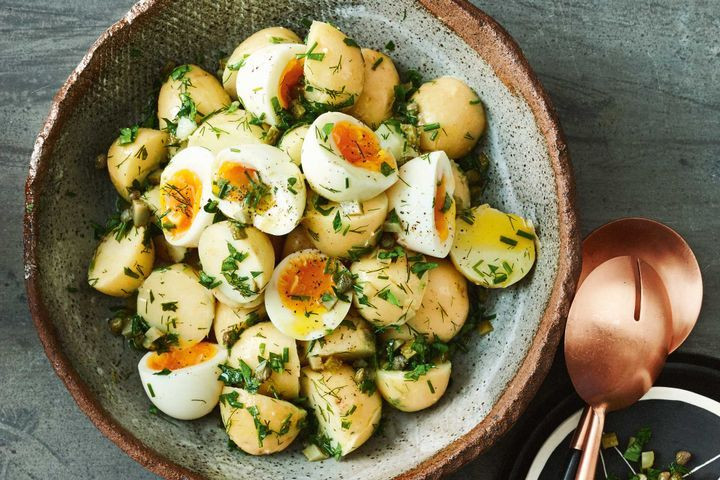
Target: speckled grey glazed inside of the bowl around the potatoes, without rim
x=112, y=93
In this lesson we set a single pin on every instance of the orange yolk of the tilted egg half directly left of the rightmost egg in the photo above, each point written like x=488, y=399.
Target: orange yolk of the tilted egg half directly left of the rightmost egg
x=358, y=145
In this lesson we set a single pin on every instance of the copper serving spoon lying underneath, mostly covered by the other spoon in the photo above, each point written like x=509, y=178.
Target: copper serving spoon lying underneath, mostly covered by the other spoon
x=668, y=253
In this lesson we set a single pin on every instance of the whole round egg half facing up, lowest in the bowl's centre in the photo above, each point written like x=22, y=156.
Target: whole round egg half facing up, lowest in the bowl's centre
x=307, y=296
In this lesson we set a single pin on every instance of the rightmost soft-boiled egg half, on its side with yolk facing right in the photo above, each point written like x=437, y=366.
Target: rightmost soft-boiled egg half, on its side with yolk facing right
x=423, y=201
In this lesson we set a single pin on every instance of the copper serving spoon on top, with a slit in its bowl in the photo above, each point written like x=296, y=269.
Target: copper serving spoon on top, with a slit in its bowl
x=616, y=341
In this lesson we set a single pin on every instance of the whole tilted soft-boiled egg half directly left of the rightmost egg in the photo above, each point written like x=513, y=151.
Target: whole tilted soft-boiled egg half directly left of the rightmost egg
x=343, y=161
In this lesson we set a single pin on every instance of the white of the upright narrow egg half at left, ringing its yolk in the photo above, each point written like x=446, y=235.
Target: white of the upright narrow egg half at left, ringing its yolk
x=199, y=161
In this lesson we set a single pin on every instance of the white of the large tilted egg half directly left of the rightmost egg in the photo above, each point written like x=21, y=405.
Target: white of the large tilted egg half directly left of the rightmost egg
x=329, y=174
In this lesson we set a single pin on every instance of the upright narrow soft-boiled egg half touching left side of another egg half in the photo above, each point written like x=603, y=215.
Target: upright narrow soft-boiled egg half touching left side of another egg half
x=185, y=188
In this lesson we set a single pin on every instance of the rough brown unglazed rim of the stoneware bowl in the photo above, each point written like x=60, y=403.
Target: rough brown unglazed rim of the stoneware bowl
x=508, y=62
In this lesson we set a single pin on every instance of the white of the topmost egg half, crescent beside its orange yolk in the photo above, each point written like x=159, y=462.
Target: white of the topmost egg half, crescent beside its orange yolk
x=258, y=79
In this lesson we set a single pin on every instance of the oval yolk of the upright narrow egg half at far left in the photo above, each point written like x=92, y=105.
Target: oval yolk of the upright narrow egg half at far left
x=180, y=200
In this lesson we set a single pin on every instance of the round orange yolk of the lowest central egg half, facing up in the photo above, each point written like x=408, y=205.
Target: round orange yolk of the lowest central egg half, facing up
x=302, y=285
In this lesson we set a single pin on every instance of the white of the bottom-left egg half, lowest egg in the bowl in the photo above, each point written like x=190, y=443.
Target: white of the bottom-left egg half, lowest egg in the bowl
x=186, y=393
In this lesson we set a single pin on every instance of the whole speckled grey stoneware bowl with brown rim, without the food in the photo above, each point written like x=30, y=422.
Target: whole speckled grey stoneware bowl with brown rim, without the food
x=530, y=175
